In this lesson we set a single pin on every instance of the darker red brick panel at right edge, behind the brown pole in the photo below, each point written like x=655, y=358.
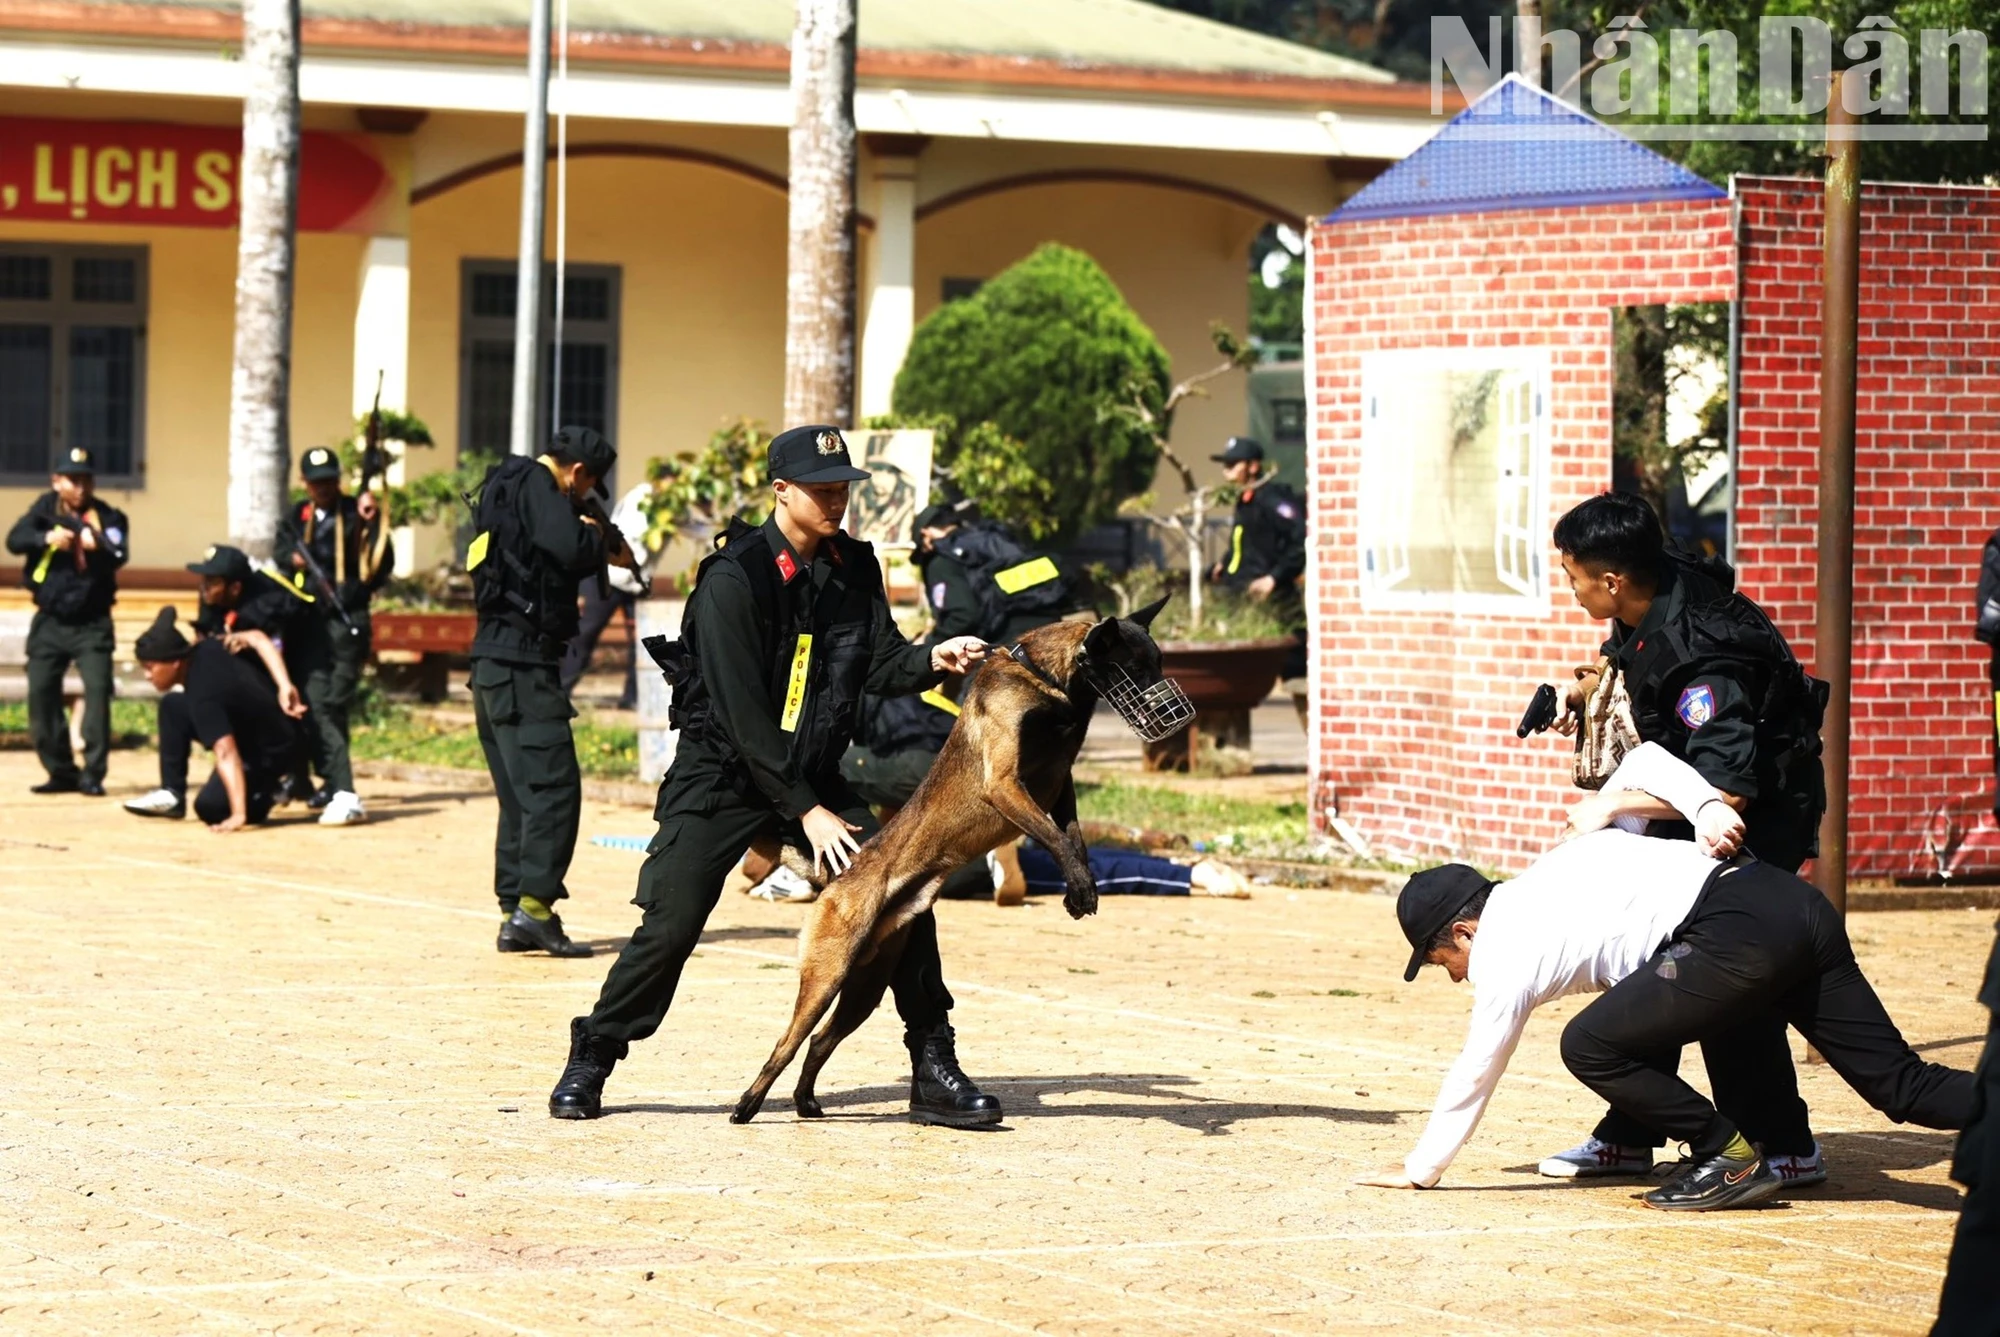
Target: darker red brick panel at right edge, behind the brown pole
x=1927, y=463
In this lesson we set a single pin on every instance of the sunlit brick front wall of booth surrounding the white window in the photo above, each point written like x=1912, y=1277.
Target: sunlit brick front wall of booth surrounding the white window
x=1415, y=712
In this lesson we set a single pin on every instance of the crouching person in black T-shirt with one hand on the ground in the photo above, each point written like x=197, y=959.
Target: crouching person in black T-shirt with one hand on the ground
x=229, y=710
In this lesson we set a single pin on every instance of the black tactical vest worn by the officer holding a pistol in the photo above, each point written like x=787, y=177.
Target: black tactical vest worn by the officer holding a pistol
x=1723, y=631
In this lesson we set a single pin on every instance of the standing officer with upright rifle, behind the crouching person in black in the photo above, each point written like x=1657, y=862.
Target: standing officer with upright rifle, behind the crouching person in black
x=331, y=639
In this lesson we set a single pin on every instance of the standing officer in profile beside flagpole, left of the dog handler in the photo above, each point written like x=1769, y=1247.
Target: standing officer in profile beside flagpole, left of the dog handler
x=531, y=551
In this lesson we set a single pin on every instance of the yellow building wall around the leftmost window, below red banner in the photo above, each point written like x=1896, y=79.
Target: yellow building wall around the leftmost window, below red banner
x=191, y=327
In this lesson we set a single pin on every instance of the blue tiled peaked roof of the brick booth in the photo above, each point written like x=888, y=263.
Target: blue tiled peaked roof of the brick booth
x=1517, y=147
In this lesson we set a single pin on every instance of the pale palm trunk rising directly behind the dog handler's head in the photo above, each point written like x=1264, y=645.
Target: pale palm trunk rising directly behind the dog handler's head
x=819, y=319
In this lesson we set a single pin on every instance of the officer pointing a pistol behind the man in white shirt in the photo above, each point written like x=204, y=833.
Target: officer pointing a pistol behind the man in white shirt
x=1715, y=684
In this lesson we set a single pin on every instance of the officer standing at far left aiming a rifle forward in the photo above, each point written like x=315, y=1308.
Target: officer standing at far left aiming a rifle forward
x=71, y=547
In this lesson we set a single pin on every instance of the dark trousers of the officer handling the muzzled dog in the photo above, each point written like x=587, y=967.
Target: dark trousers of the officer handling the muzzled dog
x=697, y=846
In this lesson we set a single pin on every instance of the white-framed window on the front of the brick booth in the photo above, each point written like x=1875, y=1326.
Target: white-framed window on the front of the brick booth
x=1455, y=481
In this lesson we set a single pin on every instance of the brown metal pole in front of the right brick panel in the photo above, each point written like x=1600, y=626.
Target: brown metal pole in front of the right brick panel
x=1833, y=635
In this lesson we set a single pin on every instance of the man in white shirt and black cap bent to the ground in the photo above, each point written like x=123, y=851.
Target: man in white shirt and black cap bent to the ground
x=1683, y=946
